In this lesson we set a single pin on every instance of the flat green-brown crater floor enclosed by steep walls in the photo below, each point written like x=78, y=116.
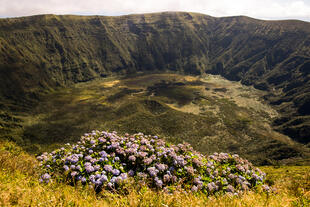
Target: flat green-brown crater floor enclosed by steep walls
x=174, y=106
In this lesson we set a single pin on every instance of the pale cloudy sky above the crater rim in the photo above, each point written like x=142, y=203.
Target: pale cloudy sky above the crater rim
x=263, y=9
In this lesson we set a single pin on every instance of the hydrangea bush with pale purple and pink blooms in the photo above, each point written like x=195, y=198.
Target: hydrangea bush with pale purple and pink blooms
x=106, y=161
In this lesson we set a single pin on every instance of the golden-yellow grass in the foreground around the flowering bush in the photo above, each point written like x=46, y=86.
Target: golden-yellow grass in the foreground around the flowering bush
x=19, y=186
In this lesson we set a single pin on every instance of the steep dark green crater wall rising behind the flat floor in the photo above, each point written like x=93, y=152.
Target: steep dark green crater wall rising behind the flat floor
x=42, y=52
